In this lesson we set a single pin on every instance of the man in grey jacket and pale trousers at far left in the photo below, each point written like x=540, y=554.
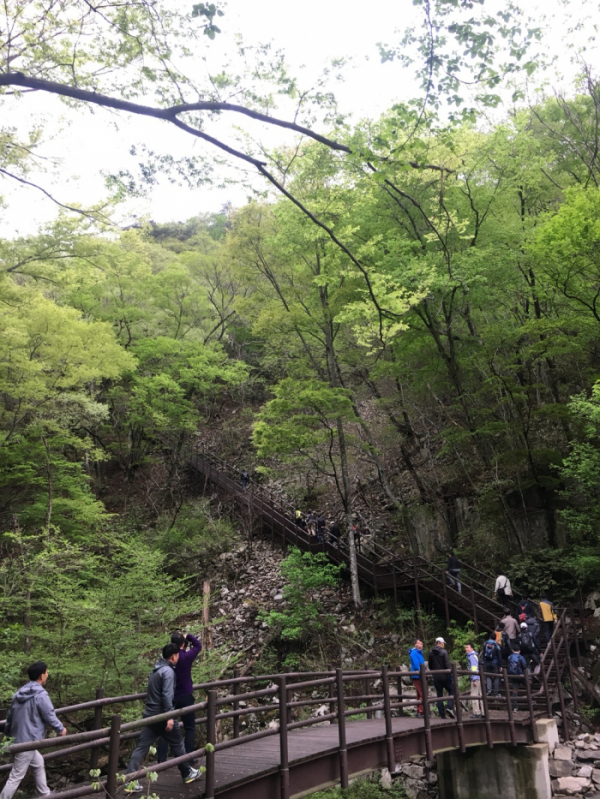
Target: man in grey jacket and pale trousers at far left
x=31, y=711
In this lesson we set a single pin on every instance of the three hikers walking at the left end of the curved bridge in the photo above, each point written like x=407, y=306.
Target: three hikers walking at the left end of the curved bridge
x=169, y=688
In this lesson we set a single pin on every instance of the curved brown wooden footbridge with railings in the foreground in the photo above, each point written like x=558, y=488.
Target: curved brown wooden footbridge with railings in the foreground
x=288, y=750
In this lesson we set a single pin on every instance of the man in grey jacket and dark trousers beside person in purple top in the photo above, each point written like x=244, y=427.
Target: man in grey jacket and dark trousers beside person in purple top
x=159, y=699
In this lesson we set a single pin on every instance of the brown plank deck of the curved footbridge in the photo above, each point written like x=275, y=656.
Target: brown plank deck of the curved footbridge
x=252, y=769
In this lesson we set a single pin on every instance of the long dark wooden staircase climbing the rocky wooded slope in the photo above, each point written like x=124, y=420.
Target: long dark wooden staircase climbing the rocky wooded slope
x=382, y=571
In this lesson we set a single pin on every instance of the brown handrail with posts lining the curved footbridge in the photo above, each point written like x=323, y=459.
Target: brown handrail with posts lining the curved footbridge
x=345, y=706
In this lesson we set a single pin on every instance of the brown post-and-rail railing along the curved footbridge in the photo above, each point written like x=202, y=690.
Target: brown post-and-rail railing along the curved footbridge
x=345, y=694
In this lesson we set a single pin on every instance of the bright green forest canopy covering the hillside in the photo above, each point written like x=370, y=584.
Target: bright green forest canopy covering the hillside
x=429, y=323
